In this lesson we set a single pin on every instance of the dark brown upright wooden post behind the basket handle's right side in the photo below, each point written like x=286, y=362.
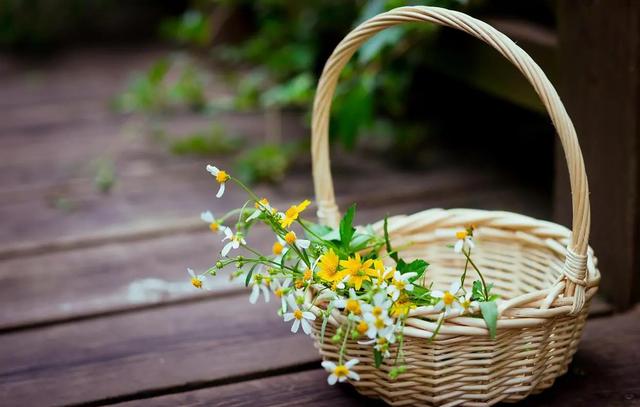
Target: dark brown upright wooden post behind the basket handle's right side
x=600, y=63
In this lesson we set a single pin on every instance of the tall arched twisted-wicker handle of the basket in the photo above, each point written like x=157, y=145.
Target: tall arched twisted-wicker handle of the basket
x=328, y=213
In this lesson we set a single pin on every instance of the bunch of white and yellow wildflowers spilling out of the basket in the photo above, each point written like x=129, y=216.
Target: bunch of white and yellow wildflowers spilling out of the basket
x=350, y=276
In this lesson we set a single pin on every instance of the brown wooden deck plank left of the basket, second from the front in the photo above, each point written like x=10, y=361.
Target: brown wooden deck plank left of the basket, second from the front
x=163, y=348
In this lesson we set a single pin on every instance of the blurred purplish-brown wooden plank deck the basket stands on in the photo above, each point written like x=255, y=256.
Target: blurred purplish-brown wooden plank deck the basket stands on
x=95, y=308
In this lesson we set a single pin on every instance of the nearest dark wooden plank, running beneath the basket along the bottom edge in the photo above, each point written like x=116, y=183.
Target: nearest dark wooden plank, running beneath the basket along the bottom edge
x=604, y=373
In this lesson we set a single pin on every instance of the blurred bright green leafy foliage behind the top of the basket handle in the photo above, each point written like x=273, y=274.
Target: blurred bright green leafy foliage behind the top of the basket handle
x=276, y=67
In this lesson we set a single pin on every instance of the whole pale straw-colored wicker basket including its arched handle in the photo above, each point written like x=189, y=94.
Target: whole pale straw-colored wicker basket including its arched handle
x=545, y=274
